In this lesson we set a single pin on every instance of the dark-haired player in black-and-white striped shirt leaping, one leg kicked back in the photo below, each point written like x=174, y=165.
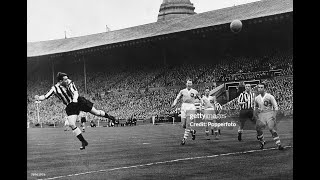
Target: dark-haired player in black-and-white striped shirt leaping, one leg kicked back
x=67, y=92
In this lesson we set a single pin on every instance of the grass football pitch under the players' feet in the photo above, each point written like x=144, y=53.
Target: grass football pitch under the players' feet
x=154, y=152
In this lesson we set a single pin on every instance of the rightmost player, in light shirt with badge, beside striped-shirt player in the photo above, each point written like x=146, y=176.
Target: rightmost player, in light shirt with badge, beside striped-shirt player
x=265, y=112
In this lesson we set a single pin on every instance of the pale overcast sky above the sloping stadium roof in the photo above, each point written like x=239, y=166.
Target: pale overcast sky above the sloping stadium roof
x=49, y=19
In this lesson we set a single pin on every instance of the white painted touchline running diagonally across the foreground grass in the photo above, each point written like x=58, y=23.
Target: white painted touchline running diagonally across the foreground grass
x=161, y=162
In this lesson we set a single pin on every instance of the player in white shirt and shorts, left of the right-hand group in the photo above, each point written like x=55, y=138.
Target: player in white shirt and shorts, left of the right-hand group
x=189, y=97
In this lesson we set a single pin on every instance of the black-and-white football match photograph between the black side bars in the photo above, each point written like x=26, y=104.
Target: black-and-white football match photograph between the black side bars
x=159, y=89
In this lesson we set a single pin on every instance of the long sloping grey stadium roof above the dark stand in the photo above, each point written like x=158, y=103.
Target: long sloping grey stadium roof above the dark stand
x=211, y=18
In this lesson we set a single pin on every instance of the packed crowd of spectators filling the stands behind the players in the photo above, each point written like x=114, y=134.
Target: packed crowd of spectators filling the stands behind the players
x=116, y=88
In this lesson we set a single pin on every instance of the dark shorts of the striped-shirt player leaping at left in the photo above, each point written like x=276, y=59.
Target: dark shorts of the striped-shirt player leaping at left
x=82, y=105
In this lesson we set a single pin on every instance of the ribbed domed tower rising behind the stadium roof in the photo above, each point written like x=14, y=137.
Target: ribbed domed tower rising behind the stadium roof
x=171, y=9
